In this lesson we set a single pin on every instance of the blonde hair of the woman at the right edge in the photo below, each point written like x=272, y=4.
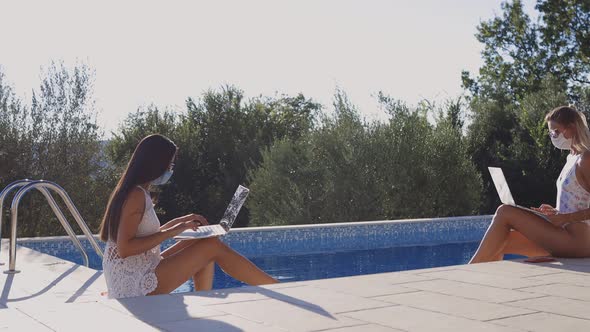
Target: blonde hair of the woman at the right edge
x=569, y=117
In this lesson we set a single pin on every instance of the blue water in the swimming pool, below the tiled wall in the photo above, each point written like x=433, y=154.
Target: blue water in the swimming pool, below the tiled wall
x=325, y=265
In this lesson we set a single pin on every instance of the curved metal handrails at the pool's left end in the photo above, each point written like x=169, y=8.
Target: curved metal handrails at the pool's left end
x=42, y=186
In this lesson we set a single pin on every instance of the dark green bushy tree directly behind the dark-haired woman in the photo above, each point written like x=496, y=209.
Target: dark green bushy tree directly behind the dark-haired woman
x=220, y=137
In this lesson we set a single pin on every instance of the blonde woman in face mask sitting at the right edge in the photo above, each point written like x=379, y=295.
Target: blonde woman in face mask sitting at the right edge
x=516, y=231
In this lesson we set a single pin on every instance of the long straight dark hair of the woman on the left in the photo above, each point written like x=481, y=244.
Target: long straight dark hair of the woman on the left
x=151, y=158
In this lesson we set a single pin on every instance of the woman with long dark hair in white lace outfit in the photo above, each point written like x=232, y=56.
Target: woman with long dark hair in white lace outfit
x=133, y=264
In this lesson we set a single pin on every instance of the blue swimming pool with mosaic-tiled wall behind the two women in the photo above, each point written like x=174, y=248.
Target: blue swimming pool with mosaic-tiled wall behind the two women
x=295, y=253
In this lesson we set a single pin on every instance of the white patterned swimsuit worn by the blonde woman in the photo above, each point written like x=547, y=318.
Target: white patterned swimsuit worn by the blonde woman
x=571, y=196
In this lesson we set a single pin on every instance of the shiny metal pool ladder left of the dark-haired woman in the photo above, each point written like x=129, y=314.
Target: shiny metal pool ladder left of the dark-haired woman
x=44, y=187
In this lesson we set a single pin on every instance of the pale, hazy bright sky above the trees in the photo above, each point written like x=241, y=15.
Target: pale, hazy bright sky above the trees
x=162, y=52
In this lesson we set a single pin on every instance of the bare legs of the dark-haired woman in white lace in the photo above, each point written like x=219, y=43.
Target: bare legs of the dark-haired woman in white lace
x=176, y=269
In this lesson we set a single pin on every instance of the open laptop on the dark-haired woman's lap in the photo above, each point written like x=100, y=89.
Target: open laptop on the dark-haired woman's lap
x=226, y=222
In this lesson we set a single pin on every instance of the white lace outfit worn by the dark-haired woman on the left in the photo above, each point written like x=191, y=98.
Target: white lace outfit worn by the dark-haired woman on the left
x=134, y=275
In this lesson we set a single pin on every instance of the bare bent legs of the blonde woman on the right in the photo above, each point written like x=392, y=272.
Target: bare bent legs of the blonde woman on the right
x=554, y=240
